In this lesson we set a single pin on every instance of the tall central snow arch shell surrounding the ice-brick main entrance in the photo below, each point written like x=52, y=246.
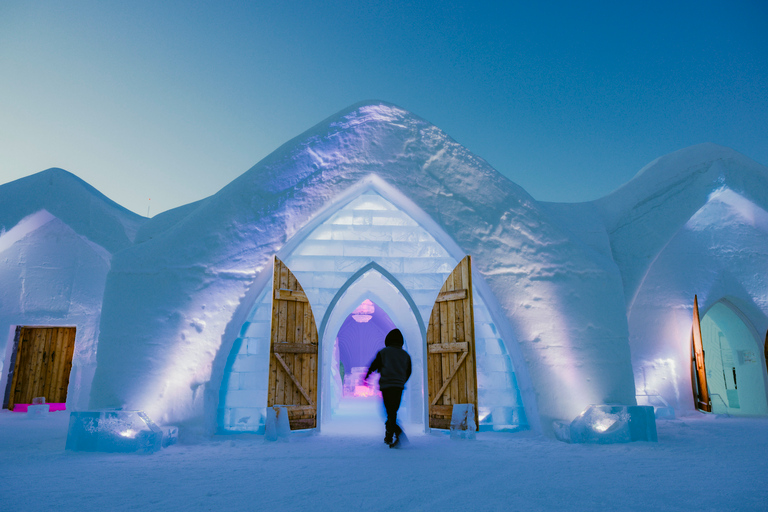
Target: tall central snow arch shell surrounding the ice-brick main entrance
x=563, y=299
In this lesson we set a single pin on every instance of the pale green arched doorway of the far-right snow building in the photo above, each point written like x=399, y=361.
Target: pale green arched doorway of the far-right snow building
x=735, y=376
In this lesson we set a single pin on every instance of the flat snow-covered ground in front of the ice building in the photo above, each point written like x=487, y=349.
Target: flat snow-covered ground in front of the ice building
x=700, y=463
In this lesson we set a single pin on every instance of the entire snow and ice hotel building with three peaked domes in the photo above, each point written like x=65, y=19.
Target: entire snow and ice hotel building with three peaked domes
x=276, y=288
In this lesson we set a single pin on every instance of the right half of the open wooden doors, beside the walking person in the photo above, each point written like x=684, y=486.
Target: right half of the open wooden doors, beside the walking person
x=451, y=367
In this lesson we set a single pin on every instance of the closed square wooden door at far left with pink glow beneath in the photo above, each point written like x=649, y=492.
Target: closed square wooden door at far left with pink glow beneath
x=42, y=366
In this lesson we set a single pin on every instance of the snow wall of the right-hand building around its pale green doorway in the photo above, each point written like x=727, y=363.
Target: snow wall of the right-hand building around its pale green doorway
x=690, y=223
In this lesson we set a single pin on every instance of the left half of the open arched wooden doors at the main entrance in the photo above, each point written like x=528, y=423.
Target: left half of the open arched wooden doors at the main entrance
x=293, y=351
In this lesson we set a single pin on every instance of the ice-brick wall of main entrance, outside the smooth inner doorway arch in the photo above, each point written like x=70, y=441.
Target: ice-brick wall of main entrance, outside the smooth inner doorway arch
x=368, y=229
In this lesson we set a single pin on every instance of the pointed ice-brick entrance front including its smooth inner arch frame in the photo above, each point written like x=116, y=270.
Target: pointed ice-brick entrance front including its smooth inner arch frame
x=371, y=240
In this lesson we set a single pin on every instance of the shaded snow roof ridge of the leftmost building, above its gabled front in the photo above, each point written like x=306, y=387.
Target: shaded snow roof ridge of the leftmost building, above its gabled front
x=76, y=203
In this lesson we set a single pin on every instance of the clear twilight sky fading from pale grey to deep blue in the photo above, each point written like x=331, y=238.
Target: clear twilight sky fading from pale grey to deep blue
x=173, y=100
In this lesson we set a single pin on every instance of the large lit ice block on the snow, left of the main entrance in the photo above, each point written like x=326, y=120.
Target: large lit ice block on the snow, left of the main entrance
x=113, y=431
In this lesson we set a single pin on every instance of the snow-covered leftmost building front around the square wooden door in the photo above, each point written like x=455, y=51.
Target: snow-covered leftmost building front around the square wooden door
x=56, y=238
